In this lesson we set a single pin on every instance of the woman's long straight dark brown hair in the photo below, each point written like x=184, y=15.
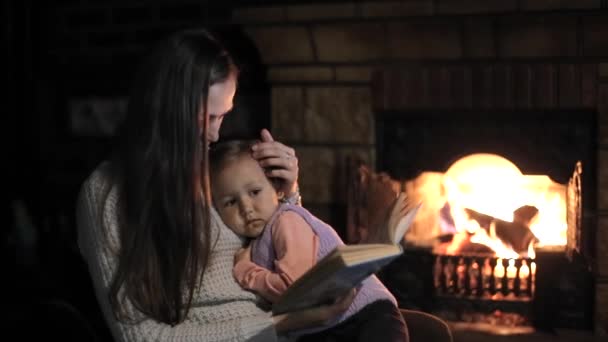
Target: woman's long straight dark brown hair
x=163, y=163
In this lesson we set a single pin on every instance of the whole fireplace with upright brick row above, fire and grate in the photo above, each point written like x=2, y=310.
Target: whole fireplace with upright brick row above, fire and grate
x=429, y=117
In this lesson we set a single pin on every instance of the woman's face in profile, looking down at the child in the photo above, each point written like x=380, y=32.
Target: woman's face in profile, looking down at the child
x=219, y=103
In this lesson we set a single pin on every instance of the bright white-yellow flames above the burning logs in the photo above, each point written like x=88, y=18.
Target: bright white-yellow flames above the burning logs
x=492, y=185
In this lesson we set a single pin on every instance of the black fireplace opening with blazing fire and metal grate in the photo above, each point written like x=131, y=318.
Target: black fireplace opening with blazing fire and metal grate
x=530, y=284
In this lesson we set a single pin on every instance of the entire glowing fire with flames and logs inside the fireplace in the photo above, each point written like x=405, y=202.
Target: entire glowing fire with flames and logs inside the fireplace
x=488, y=205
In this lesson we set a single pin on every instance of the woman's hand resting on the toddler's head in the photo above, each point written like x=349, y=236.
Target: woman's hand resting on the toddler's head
x=280, y=160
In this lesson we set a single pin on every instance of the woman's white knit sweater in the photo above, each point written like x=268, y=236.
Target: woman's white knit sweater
x=222, y=310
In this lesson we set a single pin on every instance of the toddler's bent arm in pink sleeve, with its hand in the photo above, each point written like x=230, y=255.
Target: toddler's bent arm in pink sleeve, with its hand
x=296, y=248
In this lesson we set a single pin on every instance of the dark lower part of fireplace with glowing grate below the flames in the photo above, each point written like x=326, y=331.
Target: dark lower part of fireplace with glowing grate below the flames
x=557, y=296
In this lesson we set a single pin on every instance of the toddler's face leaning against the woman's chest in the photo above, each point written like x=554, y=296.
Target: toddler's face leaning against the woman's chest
x=244, y=197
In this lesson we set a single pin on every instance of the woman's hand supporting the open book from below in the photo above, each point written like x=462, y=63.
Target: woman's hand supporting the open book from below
x=313, y=317
